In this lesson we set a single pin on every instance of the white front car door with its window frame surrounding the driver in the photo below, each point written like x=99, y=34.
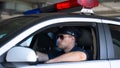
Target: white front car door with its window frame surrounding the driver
x=101, y=47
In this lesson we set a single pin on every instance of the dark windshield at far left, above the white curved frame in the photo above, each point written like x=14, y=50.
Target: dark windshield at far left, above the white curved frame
x=11, y=25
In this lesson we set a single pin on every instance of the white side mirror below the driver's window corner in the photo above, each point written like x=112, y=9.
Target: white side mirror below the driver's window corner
x=21, y=54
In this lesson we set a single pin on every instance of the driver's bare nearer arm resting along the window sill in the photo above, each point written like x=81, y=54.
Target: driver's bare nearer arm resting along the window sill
x=71, y=56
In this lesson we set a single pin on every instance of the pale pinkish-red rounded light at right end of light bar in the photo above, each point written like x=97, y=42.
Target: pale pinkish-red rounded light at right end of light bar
x=88, y=3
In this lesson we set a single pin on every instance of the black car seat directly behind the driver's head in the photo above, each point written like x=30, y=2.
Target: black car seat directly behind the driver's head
x=85, y=41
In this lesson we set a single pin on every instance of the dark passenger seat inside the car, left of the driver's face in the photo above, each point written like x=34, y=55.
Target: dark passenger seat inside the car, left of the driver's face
x=42, y=42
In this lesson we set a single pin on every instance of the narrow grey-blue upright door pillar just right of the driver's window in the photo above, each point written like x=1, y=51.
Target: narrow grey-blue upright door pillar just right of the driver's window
x=102, y=43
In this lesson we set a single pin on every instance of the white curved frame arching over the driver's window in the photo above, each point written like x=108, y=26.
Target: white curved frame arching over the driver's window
x=29, y=31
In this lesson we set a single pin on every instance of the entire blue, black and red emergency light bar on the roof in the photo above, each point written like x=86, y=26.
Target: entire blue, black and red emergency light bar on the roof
x=64, y=5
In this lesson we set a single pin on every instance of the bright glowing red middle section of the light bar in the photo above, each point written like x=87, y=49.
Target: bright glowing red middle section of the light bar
x=67, y=4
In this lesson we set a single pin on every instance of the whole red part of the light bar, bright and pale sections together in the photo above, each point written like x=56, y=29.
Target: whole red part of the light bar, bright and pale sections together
x=74, y=3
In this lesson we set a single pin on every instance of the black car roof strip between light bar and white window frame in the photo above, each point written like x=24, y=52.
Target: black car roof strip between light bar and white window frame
x=55, y=15
